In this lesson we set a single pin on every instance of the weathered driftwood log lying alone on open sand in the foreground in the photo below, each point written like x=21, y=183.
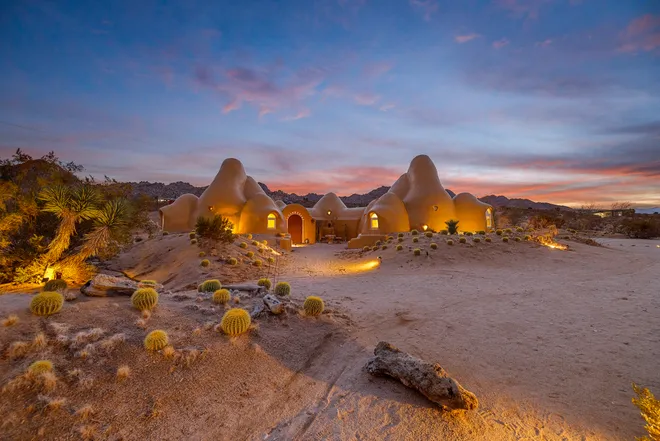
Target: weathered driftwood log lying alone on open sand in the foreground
x=428, y=378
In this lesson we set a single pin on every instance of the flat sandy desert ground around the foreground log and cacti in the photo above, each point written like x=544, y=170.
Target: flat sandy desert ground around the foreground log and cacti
x=548, y=340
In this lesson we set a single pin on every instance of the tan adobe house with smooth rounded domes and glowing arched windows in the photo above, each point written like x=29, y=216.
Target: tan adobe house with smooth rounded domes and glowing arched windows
x=417, y=200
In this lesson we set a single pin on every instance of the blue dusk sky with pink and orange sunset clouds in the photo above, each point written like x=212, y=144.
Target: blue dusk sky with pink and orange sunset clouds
x=552, y=100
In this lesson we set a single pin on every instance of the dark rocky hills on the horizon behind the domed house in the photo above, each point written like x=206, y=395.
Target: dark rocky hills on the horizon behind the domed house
x=176, y=189
